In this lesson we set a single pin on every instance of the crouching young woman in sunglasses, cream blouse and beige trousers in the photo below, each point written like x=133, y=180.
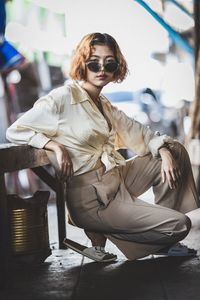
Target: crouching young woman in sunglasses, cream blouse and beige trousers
x=82, y=128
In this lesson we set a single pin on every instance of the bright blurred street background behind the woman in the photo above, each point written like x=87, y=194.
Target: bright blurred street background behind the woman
x=159, y=39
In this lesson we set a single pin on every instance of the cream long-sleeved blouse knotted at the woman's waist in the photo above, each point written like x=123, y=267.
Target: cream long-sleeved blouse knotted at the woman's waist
x=67, y=115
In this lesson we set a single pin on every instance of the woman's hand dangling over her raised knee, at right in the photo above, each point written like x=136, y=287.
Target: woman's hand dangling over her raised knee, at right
x=169, y=169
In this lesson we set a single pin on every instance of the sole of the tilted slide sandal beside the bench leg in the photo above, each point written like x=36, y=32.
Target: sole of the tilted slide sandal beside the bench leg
x=80, y=249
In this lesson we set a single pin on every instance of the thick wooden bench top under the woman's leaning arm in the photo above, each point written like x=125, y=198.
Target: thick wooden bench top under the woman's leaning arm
x=14, y=157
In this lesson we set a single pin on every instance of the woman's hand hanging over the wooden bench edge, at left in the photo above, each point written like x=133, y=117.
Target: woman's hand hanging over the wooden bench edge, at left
x=63, y=159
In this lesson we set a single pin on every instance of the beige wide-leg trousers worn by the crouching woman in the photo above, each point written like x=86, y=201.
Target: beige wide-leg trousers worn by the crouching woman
x=108, y=203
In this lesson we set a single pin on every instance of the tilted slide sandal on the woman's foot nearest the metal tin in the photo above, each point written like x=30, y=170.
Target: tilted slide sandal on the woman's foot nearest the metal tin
x=96, y=253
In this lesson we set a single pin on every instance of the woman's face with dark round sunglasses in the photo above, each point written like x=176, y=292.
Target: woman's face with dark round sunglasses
x=97, y=74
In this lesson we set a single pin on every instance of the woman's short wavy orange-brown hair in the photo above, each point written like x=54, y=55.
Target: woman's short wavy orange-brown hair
x=83, y=53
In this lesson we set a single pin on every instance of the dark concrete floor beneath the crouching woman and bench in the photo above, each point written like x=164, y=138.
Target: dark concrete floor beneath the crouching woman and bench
x=66, y=275
